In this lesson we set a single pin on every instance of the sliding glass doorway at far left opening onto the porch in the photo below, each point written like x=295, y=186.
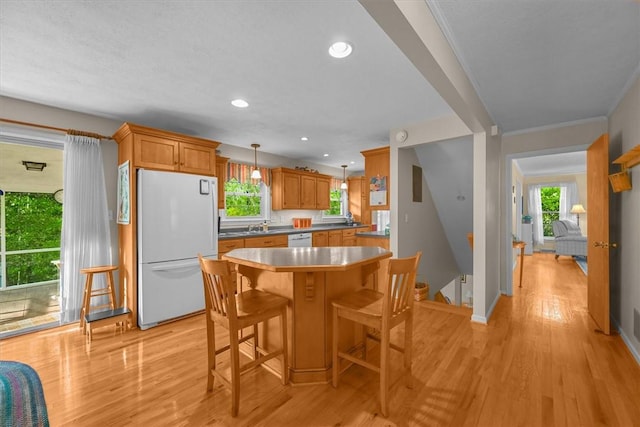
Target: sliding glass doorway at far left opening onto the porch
x=30, y=230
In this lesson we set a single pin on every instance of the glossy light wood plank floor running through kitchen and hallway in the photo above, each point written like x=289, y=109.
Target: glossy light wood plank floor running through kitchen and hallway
x=538, y=363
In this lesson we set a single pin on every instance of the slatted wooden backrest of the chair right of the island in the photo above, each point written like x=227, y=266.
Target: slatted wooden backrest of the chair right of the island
x=401, y=280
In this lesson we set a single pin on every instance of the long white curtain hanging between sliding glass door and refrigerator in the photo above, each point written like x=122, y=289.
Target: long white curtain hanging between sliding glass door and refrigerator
x=86, y=241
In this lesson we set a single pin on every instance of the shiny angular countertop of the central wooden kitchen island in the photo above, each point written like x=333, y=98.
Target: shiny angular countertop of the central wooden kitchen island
x=336, y=258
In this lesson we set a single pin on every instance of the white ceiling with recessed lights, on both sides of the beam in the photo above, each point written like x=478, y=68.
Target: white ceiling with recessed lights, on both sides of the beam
x=177, y=65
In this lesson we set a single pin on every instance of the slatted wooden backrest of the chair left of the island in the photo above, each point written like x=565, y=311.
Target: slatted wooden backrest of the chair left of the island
x=219, y=288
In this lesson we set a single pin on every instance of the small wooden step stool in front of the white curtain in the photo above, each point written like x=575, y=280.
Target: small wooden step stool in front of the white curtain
x=109, y=313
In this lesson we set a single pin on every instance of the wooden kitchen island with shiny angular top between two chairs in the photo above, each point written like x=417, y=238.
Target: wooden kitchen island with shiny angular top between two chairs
x=310, y=278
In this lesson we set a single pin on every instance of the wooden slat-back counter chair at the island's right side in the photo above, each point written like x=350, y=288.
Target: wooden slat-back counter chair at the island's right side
x=381, y=311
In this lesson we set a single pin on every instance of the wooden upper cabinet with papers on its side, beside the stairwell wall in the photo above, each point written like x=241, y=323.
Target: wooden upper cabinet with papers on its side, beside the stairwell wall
x=377, y=170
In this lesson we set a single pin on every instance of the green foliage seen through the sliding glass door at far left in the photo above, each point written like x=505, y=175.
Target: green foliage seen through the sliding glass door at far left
x=33, y=221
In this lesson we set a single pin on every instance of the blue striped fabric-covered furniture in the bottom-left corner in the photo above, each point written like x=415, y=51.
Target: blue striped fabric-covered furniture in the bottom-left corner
x=21, y=397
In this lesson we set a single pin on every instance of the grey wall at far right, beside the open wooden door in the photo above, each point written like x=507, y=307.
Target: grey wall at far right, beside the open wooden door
x=624, y=130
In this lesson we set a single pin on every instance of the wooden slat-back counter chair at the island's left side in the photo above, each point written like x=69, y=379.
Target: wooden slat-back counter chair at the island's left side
x=235, y=311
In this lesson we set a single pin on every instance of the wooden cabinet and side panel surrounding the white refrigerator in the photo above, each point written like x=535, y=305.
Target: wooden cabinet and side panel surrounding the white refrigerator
x=157, y=149
